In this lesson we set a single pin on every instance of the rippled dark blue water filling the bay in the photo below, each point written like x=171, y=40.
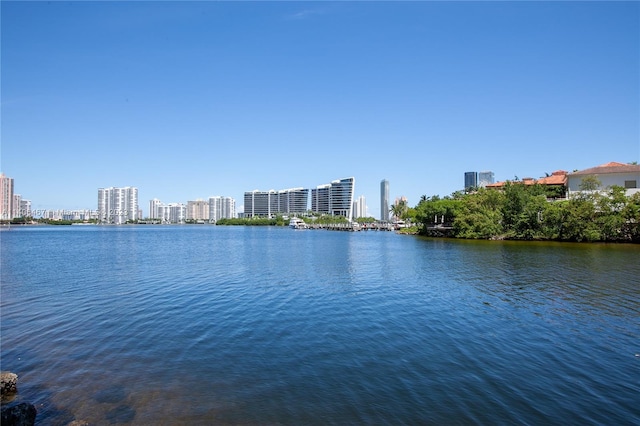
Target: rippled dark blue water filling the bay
x=271, y=326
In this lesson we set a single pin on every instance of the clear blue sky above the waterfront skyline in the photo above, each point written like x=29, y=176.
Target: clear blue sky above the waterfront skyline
x=186, y=100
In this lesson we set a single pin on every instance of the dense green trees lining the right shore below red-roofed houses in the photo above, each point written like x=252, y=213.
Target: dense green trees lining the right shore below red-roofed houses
x=523, y=212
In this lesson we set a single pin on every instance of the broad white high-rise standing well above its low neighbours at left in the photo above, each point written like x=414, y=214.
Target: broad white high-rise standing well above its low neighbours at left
x=117, y=205
